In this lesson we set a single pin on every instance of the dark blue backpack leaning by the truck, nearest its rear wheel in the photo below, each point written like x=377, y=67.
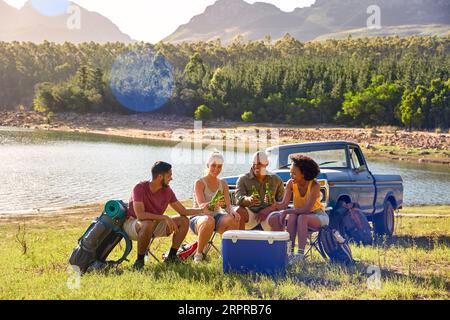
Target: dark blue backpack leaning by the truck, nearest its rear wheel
x=352, y=223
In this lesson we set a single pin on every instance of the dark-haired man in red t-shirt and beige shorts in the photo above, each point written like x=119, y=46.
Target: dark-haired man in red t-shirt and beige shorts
x=145, y=219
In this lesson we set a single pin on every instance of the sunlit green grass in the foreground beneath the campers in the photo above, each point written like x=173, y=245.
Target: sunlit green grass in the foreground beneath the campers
x=415, y=264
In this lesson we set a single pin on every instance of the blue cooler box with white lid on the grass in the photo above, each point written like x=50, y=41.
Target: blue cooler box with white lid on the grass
x=255, y=252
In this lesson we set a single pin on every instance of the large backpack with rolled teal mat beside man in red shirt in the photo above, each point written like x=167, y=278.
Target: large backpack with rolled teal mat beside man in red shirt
x=102, y=236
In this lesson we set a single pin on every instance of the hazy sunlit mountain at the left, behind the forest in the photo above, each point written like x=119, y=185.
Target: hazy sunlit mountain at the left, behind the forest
x=27, y=24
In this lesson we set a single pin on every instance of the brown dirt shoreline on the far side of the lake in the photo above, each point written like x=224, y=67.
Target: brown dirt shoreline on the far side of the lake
x=387, y=143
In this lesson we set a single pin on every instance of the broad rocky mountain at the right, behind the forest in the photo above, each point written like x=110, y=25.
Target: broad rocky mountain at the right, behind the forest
x=227, y=19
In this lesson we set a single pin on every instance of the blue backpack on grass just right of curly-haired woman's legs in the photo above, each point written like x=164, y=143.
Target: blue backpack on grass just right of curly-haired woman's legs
x=335, y=247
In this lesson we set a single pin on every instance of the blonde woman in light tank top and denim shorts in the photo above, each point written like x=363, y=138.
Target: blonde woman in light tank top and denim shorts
x=221, y=220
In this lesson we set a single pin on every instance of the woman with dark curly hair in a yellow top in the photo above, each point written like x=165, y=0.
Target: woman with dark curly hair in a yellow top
x=308, y=211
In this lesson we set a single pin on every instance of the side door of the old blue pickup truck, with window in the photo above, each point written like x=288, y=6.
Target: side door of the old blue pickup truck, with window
x=362, y=180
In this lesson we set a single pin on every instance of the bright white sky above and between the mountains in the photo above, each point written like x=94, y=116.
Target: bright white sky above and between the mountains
x=152, y=20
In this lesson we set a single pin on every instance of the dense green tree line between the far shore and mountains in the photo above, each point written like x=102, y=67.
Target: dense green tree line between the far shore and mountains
x=366, y=81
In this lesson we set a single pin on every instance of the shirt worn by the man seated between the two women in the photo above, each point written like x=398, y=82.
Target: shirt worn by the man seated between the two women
x=246, y=182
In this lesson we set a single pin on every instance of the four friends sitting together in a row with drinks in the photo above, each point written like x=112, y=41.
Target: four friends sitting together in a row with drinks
x=149, y=201
